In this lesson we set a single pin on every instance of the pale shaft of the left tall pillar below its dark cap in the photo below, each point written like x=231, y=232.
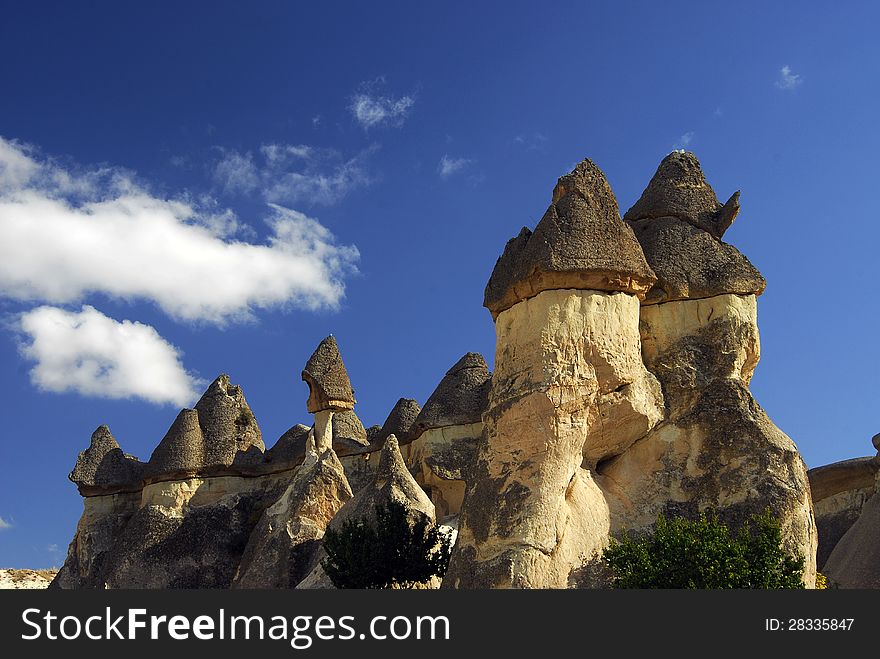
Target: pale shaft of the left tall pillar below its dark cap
x=532, y=512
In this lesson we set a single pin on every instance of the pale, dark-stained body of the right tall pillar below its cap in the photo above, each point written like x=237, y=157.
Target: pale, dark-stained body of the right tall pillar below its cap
x=716, y=448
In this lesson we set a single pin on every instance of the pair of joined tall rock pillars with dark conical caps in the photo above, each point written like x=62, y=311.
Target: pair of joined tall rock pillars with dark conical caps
x=580, y=443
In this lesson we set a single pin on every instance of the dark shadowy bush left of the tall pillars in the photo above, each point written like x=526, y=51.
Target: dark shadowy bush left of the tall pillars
x=395, y=552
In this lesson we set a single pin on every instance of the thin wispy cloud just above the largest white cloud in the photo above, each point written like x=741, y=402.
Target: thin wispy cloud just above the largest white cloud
x=293, y=173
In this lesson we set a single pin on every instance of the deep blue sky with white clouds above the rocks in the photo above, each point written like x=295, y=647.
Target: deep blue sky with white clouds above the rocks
x=356, y=169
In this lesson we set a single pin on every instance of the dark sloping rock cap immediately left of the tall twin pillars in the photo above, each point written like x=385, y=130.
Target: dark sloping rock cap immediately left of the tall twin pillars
x=461, y=397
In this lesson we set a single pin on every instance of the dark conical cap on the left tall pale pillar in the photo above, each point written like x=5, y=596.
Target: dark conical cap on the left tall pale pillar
x=580, y=243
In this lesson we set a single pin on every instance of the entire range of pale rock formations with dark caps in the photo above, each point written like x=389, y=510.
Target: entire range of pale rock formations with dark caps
x=624, y=351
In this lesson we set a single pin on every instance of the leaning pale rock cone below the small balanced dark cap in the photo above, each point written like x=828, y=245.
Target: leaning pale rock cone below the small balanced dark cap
x=283, y=546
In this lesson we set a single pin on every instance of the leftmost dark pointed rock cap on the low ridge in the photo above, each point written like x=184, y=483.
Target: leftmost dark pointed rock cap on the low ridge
x=104, y=469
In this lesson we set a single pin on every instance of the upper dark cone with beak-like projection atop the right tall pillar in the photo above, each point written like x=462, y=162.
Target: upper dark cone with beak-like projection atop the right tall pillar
x=679, y=189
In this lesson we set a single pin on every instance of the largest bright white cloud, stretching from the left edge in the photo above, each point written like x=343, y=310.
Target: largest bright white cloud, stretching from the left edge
x=64, y=236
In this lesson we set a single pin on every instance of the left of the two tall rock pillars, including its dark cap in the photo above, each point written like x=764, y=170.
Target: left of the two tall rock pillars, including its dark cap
x=569, y=391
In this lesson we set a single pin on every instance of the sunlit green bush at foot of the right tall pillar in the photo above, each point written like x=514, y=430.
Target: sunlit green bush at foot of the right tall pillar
x=704, y=553
